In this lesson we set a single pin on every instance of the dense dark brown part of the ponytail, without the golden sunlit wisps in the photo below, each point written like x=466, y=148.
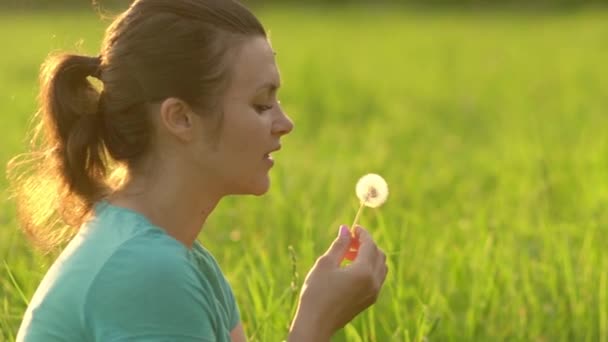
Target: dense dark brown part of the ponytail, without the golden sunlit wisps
x=69, y=105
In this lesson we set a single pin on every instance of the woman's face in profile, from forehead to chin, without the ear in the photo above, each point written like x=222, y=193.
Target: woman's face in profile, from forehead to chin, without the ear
x=252, y=123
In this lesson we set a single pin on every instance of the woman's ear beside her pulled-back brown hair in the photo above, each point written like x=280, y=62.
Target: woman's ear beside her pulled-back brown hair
x=177, y=118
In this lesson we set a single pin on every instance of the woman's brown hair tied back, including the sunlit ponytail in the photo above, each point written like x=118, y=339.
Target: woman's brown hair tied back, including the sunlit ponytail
x=154, y=50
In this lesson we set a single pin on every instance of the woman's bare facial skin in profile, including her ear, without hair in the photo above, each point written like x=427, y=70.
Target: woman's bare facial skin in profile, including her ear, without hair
x=233, y=154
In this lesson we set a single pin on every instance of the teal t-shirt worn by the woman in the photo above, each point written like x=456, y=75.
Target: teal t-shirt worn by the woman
x=123, y=279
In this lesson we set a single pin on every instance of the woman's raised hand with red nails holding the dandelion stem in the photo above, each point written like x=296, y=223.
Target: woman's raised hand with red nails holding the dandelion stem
x=332, y=295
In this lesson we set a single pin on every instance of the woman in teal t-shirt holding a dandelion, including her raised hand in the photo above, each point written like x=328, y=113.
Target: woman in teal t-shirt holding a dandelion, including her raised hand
x=189, y=111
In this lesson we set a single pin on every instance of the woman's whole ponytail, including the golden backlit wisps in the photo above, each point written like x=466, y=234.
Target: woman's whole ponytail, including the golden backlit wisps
x=65, y=173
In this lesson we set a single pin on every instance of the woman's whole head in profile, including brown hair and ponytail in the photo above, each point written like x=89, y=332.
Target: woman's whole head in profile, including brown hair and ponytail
x=180, y=78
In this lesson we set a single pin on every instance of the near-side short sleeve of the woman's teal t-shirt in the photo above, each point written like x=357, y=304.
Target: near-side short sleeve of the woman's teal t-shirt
x=151, y=298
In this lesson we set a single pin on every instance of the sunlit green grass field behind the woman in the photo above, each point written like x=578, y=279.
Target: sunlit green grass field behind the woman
x=490, y=129
